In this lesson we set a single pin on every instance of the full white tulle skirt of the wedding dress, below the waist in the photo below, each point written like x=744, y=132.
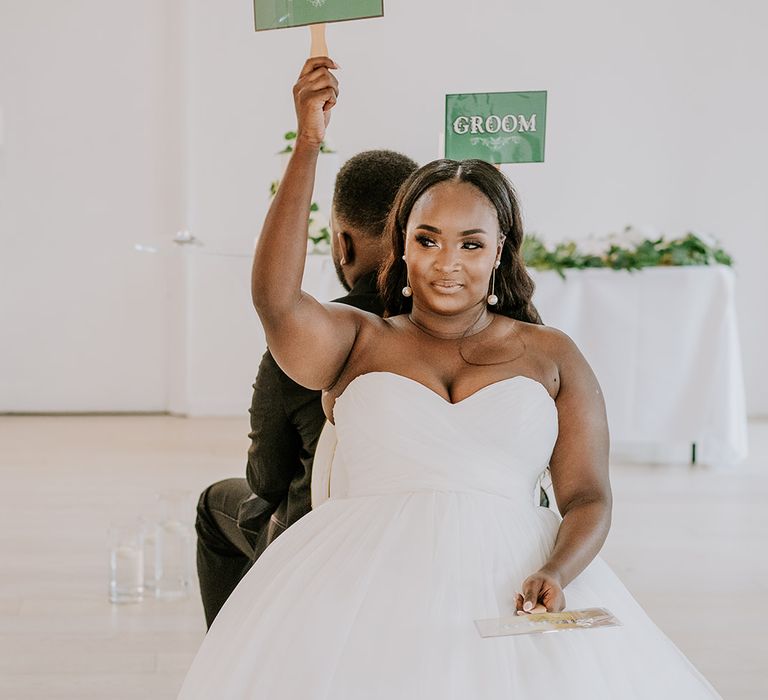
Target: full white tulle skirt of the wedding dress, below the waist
x=375, y=597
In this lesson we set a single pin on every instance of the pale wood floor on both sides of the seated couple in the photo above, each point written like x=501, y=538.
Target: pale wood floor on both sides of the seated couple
x=686, y=541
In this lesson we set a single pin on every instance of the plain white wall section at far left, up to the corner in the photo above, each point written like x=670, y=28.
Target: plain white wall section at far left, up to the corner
x=91, y=163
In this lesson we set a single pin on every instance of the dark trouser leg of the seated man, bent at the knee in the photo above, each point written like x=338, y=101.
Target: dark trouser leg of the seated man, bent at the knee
x=224, y=553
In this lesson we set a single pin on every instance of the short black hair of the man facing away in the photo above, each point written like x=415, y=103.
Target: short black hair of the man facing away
x=366, y=187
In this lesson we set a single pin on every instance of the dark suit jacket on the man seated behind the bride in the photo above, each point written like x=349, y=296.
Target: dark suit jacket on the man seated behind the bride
x=286, y=421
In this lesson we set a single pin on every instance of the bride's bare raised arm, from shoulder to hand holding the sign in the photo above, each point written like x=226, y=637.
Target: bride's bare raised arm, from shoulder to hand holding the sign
x=309, y=340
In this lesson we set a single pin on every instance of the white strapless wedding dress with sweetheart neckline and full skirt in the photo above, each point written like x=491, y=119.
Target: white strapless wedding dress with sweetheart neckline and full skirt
x=373, y=596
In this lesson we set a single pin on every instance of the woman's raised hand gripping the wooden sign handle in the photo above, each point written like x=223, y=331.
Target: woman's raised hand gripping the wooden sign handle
x=314, y=95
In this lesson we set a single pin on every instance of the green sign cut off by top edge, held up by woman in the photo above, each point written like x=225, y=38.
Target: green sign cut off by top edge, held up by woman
x=277, y=14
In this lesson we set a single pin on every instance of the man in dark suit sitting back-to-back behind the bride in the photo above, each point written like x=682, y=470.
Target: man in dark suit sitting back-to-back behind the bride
x=238, y=518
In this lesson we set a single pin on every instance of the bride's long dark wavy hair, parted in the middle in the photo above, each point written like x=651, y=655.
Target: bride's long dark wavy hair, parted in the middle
x=514, y=286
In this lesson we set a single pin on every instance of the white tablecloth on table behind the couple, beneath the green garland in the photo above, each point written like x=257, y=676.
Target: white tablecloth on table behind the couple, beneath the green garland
x=663, y=343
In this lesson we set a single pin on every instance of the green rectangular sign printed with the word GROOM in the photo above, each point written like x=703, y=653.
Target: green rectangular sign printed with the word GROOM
x=500, y=127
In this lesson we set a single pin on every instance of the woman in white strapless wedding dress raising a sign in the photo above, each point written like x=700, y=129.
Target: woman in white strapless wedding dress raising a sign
x=446, y=412
